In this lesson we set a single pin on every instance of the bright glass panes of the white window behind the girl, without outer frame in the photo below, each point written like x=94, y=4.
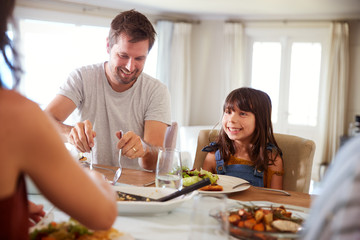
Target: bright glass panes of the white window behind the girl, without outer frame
x=304, y=77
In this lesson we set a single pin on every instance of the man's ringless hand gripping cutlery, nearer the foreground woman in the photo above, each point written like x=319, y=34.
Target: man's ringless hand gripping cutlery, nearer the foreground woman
x=82, y=136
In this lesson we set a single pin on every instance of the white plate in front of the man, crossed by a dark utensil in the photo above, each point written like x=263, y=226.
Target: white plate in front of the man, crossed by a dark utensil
x=146, y=208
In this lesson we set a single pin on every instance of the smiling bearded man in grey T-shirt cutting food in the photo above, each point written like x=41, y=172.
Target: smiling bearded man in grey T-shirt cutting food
x=117, y=95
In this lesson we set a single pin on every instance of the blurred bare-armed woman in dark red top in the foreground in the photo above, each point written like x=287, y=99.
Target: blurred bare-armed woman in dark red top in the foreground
x=30, y=145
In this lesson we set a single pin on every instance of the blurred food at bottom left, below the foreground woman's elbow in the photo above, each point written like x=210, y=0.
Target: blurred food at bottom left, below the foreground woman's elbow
x=72, y=229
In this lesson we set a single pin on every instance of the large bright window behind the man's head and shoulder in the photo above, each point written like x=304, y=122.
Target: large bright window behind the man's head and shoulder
x=52, y=50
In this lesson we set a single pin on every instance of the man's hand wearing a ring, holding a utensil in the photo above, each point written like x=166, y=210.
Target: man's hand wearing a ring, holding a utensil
x=131, y=144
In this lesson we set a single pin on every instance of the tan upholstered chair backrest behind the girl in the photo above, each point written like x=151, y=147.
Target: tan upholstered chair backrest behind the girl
x=298, y=154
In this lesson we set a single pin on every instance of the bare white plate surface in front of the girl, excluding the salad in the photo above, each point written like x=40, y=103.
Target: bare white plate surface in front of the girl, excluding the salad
x=228, y=182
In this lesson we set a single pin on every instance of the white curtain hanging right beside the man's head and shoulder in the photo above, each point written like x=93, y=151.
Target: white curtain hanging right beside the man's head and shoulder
x=174, y=67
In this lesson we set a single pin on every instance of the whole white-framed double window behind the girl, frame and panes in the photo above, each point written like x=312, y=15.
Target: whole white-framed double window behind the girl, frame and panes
x=286, y=63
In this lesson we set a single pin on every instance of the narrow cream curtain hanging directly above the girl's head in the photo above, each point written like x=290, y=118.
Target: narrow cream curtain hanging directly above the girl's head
x=233, y=58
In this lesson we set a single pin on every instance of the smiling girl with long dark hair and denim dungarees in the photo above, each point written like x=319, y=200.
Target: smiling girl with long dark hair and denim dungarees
x=246, y=146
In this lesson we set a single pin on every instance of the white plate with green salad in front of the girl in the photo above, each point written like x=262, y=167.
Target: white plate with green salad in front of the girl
x=219, y=183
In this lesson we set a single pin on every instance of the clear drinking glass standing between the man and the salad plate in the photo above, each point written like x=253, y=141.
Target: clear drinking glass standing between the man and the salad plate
x=168, y=169
